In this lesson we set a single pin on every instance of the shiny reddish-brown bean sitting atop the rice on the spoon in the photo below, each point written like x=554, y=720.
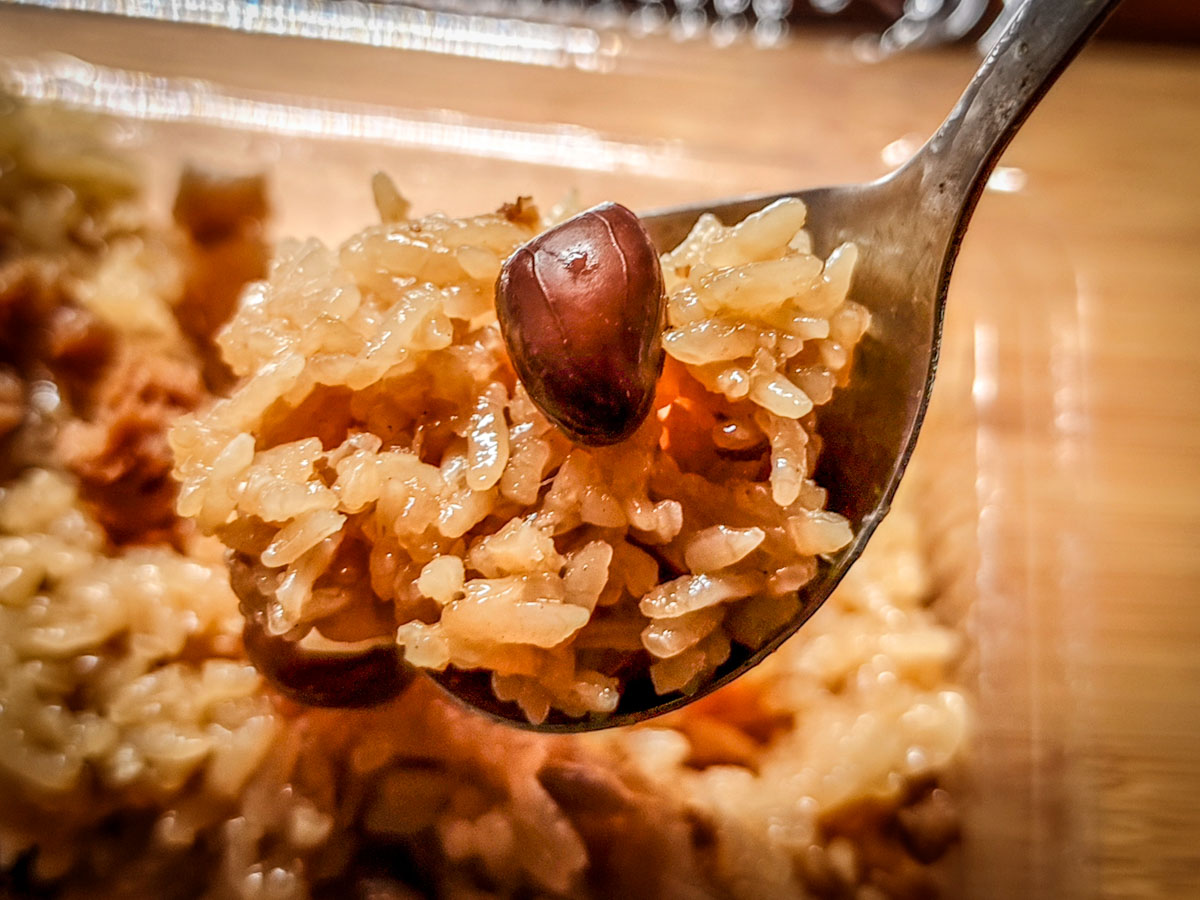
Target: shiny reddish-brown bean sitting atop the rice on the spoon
x=581, y=309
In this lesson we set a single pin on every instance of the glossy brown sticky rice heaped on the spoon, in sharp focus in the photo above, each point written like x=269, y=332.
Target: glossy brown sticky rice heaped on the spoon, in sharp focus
x=388, y=476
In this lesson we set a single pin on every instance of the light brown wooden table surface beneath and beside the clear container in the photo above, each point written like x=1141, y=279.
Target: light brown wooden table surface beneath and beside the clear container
x=1076, y=308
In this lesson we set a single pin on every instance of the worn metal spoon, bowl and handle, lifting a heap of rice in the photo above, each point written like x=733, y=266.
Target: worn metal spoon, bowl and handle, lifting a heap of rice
x=909, y=227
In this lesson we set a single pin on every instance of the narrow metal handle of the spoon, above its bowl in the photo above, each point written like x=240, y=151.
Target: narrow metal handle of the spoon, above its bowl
x=1043, y=38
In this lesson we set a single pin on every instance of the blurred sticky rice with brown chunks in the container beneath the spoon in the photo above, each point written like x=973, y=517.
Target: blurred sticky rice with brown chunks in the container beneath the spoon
x=143, y=757
